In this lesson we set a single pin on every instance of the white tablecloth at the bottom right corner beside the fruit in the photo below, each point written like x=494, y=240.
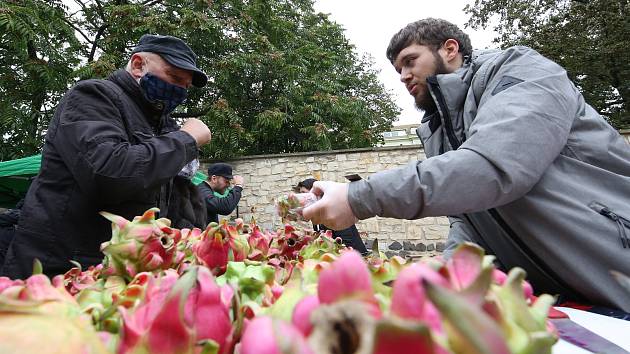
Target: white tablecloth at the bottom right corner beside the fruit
x=615, y=330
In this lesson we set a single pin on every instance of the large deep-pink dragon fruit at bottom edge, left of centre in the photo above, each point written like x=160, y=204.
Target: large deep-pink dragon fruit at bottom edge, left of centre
x=183, y=315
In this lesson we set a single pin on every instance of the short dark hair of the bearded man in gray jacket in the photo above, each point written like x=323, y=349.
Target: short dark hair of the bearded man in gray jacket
x=431, y=32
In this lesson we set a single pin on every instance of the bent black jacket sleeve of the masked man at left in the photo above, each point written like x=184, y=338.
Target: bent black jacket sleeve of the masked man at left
x=90, y=136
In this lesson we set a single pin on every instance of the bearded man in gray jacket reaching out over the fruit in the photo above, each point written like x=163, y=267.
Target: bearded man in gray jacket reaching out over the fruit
x=517, y=159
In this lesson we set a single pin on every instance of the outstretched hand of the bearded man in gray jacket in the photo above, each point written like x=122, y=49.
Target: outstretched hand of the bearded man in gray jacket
x=333, y=209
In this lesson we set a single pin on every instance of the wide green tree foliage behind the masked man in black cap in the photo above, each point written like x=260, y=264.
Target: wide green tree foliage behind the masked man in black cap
x=282, y=77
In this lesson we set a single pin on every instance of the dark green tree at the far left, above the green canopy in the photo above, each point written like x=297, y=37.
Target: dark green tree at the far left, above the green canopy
x=38, y=52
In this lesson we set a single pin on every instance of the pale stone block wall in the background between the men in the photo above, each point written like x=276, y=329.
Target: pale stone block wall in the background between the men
x=270, y=176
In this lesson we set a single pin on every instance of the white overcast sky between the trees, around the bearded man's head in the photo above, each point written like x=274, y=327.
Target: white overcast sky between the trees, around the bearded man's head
x=369, y=26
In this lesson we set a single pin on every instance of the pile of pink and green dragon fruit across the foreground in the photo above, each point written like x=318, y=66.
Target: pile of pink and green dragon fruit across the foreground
x=235, y=288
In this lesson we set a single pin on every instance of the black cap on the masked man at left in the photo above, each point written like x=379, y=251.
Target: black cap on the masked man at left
x=175, y=52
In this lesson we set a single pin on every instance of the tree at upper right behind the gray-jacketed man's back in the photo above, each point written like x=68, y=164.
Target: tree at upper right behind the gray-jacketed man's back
x=587, y=37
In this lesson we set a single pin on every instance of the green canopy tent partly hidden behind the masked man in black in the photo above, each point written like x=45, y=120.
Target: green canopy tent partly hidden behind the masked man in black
x=16, y=176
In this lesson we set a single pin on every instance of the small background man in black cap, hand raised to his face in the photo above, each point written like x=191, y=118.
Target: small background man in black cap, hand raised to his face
x=219, y=176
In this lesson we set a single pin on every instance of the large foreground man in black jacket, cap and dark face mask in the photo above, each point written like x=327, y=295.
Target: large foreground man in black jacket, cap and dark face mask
x=111, y=146
